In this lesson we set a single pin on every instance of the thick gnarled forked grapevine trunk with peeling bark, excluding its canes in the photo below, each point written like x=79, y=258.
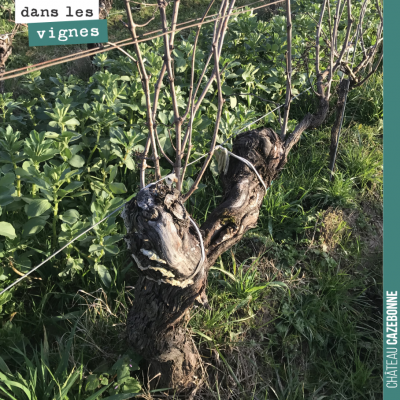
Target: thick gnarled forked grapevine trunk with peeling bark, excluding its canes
x=166, y=248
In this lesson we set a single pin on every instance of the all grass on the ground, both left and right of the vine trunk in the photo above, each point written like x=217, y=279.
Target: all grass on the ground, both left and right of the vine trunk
x=296, y=306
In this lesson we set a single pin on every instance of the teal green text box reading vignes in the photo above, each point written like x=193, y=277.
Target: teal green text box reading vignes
x=68, y=32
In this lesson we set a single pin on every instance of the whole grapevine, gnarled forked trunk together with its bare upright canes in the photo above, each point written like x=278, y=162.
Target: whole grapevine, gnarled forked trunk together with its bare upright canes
x=163, y=240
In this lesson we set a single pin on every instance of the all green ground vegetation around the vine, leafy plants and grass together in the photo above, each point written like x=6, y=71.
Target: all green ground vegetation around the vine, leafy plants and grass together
x=285, y=305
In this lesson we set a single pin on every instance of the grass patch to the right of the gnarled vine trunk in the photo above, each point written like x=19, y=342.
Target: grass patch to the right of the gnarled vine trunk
x=316, y=334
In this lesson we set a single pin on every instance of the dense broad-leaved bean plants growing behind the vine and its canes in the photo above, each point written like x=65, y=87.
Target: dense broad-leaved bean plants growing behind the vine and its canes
x=70, y=150
